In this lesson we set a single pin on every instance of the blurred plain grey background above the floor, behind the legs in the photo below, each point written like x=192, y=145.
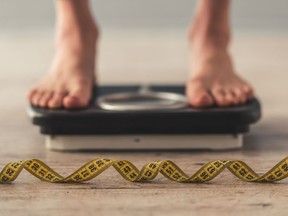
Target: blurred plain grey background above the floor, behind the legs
x=248, y=15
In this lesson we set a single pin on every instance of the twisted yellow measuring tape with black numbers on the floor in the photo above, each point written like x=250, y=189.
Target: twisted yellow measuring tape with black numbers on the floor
x=149, y=171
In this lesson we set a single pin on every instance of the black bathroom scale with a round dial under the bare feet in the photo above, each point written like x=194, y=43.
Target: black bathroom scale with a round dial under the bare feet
x=144, y=117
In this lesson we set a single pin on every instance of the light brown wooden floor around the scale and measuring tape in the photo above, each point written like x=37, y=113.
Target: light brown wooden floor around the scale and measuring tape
x=261, y=59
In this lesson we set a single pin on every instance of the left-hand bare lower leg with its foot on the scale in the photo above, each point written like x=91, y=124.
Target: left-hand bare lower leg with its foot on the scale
x=71, y=78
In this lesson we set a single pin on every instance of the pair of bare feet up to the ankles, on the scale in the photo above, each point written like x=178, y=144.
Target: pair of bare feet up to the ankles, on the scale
x=70, y=81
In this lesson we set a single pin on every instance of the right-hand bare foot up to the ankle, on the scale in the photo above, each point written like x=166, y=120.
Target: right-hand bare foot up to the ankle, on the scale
x=213, y=79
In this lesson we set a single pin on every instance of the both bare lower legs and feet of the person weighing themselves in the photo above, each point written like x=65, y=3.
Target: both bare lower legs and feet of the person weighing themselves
x=71, y=78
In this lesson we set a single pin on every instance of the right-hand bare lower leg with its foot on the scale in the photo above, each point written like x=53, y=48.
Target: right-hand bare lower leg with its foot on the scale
x=213, y=79
